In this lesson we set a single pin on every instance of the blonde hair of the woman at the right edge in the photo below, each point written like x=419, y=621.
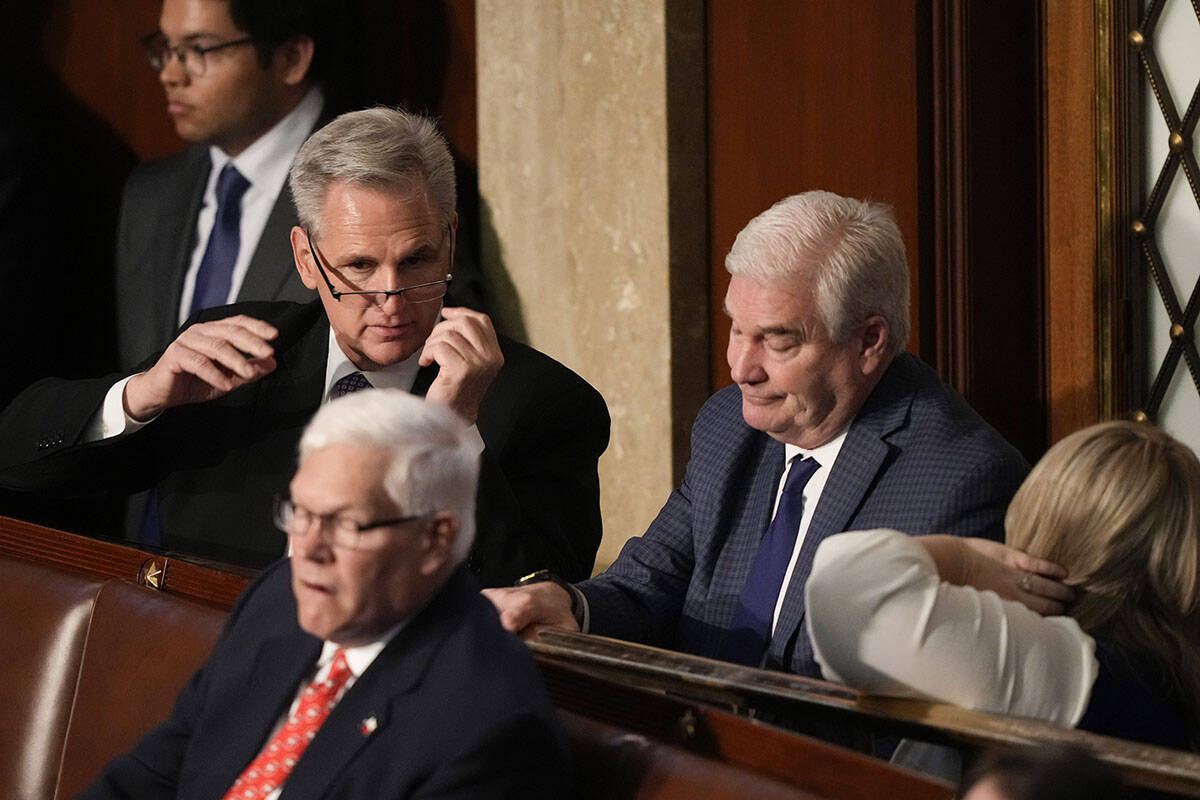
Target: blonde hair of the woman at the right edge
x=1118, y=504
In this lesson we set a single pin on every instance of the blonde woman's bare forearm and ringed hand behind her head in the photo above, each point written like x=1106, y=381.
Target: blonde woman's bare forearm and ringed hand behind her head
x=1011, y=574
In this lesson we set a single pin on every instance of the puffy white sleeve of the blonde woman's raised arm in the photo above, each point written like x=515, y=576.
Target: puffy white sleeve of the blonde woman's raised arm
x=883, y=622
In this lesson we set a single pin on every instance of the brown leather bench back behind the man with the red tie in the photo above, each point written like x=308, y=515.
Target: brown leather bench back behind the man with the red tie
x=92, y=664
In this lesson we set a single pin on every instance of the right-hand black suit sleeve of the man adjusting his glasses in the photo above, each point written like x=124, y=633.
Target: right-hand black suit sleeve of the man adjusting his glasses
x=539, y=490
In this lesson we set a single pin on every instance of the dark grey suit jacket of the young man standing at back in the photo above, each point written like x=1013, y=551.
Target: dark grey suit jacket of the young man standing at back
x=155, y=242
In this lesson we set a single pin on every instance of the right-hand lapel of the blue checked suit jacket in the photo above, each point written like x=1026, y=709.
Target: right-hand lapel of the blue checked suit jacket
x=862, y=458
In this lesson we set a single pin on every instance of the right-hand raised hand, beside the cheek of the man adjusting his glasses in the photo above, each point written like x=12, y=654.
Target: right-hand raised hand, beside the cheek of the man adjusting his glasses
x=464, y=345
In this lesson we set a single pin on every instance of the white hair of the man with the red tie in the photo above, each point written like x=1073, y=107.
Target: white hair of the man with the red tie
x=435, y=461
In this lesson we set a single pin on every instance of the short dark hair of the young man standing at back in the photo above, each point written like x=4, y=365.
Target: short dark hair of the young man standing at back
x=272, y=23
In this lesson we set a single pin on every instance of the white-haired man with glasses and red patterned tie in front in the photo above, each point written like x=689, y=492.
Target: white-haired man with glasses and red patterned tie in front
x=367, y=665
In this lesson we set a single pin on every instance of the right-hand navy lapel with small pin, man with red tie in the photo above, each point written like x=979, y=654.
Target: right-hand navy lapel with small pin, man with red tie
x=370, y=706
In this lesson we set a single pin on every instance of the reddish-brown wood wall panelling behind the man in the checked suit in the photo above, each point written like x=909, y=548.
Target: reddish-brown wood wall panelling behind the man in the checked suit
x=933, y=107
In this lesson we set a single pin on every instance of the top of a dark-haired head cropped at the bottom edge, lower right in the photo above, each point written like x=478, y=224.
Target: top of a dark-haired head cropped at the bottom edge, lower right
x=1048, y=773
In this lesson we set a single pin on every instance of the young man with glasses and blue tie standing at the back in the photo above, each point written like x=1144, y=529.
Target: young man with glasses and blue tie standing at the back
x=209, y=226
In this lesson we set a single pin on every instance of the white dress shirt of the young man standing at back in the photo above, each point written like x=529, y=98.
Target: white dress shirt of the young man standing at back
x=266, y=165
